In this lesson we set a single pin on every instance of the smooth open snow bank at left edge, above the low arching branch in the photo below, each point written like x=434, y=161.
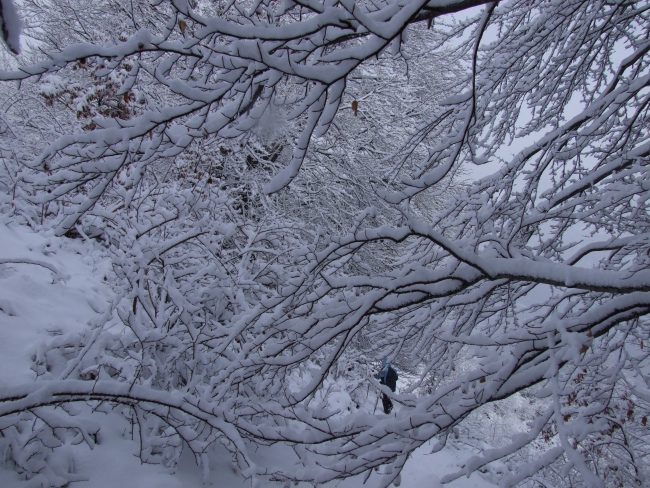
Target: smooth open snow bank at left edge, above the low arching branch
x=37, y=303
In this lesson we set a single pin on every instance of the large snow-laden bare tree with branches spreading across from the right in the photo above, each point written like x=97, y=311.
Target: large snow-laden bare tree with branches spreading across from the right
x=535, y=278
